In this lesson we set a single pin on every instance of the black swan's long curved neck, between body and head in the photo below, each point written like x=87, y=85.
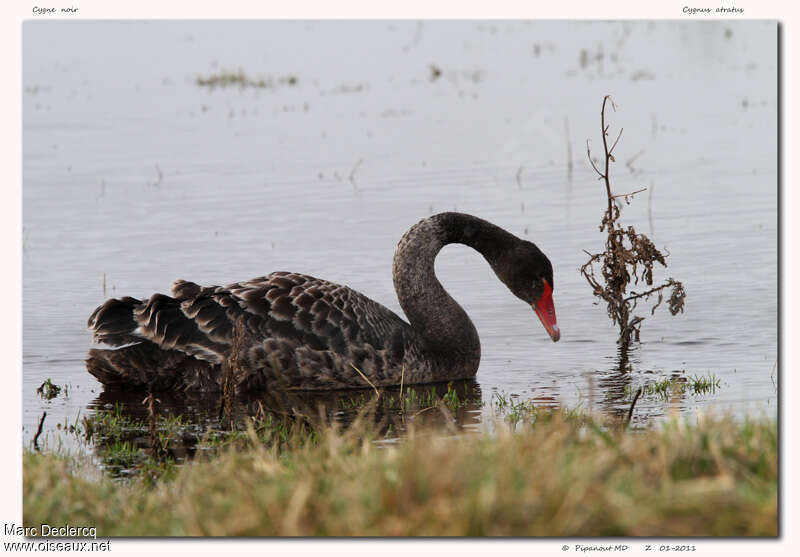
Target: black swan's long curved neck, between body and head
x=446, y=329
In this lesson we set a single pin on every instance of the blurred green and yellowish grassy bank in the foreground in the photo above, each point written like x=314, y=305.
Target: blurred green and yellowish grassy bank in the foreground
x=562, y=476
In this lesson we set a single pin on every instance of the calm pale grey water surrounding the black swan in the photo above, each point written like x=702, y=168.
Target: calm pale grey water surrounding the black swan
x=134, y=176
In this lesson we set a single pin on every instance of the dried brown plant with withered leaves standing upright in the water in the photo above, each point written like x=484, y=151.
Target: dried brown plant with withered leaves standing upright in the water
x=629, y=257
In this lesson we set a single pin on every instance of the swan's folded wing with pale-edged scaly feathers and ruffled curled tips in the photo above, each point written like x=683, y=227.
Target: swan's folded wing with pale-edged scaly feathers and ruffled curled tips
x=301, y=331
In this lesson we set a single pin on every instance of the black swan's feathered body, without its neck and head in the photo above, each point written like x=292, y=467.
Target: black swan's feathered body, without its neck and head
x=291, y=331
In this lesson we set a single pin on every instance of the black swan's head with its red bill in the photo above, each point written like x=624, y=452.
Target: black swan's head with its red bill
x=529, y=275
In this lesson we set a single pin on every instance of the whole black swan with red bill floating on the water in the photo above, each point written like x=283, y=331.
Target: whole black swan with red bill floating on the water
x=293, y=331
